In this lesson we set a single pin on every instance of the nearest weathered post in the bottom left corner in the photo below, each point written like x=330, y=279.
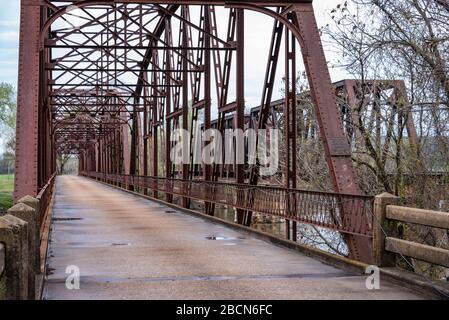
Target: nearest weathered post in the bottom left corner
x=14, y=235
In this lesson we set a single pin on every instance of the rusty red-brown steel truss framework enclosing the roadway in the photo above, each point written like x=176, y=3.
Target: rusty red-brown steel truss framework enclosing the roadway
x=110, y=80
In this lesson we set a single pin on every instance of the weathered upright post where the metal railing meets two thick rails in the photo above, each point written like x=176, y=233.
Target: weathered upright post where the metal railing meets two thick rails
x=380, y=256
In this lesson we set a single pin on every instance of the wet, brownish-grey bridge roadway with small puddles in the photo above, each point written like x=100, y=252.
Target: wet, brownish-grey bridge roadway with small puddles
x=130, y=248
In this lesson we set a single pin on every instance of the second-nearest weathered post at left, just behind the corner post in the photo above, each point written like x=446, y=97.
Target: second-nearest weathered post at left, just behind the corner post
x=30, y=215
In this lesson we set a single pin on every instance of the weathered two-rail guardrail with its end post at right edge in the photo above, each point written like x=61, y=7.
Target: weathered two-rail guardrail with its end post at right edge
x=386, y=209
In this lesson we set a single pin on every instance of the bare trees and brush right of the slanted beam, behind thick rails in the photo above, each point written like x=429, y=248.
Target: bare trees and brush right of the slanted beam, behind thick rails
x=400, y=40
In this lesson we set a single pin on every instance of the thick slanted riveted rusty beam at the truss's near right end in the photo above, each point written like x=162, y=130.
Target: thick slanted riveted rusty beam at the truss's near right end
x=336, y=146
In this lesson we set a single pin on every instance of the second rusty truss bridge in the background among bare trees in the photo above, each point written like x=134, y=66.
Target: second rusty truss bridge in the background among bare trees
x=357, y=100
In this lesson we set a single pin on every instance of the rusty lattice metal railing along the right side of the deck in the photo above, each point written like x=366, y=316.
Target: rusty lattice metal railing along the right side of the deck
x=346, y=213
